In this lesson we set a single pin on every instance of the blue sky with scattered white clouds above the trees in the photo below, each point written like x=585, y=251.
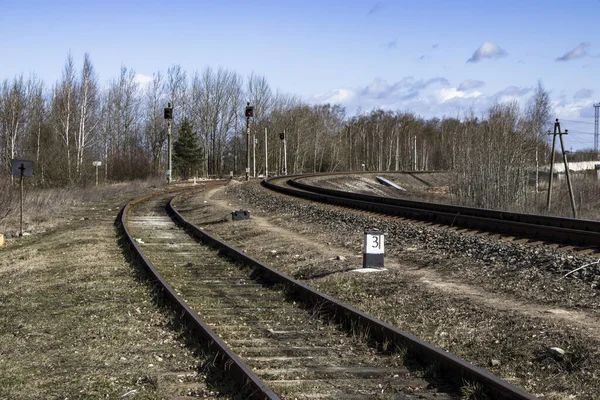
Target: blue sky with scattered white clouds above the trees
x=432, y=57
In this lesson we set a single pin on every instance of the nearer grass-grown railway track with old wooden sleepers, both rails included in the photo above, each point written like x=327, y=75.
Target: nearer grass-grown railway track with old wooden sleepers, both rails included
x=278, y=338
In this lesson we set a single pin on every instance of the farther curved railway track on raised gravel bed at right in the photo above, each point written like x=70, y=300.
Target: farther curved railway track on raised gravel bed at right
x=584, y=233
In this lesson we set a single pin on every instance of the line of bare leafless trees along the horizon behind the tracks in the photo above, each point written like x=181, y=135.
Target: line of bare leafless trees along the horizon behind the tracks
x=65, y=126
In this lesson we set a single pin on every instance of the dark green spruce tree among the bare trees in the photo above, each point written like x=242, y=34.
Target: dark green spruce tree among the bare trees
x=187, y=152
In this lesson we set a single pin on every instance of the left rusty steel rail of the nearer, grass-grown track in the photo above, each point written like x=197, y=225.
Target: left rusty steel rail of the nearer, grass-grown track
x=250, y=384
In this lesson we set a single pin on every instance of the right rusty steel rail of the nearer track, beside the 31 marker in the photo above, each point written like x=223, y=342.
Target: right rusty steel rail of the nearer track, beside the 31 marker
x=457, y=369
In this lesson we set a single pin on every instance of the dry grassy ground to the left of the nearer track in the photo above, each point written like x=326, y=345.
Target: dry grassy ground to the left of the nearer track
x=78, y=322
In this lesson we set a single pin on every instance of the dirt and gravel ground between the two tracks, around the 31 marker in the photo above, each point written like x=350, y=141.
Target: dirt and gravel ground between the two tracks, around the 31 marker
x=499, y=317
